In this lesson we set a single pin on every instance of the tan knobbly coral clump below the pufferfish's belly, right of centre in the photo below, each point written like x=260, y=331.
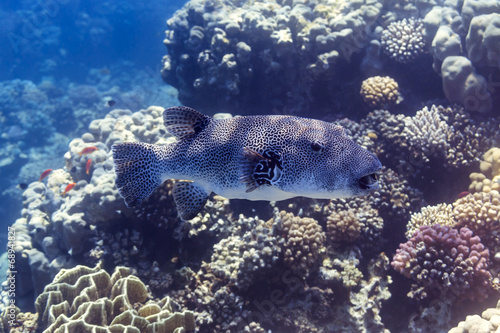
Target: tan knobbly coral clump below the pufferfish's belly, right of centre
x=302, y=241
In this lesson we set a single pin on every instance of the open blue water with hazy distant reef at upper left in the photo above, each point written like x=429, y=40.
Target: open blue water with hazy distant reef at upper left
x=62, y=55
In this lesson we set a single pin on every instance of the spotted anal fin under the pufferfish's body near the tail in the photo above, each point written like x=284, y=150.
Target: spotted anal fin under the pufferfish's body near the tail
x=190, y=198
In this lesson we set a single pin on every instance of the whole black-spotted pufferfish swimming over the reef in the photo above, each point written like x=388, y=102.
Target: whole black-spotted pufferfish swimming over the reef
x=269, y=158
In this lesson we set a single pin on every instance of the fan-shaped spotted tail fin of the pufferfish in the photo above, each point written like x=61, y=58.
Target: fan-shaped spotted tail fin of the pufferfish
x=137, y=168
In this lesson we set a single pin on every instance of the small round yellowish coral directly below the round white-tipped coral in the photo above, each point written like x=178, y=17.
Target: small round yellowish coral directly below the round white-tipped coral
x=380, y=91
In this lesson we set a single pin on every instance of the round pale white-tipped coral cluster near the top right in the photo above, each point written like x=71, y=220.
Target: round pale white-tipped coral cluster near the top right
x=404, y=41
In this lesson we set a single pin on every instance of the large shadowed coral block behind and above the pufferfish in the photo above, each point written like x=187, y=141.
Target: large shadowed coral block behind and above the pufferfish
x=228, y=48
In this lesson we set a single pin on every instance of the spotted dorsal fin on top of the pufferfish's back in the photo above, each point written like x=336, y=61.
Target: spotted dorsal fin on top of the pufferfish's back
x=184, y=122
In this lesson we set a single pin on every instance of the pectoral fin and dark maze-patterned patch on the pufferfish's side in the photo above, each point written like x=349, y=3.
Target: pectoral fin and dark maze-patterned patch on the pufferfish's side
x=260, y=169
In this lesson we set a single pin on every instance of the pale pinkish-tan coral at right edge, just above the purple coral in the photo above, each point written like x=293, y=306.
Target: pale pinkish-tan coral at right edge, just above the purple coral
x=480, y=212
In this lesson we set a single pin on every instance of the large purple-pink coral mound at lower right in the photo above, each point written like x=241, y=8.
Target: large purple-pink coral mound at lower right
x=444, y=261
